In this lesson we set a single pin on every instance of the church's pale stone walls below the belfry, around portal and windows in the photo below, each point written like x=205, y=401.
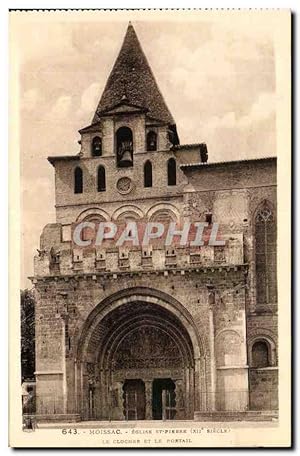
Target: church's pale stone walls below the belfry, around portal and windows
x=217, y=287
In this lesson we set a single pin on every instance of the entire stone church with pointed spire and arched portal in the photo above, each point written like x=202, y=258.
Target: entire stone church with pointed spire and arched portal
x=155, y=333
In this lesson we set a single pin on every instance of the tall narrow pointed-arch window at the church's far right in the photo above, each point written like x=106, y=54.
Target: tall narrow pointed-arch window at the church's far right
x=265, y=249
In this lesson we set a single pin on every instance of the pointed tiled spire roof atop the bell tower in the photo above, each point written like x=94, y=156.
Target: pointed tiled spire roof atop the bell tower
x=131, y=75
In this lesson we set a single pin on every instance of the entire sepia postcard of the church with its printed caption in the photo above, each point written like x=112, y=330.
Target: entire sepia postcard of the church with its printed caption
x=152, y=307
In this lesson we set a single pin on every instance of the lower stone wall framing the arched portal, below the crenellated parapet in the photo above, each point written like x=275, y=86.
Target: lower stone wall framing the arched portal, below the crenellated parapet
x=70, y=301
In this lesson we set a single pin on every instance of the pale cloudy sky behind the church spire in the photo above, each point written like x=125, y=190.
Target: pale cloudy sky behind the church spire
x=218, y=80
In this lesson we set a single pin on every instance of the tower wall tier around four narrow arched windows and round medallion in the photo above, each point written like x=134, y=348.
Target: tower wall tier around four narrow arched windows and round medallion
x=66, y=198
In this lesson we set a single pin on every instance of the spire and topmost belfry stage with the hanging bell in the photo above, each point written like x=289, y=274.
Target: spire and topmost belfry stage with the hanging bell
x=131, y=116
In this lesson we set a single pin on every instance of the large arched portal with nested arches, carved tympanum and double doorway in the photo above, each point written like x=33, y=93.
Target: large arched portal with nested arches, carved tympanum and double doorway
x=138, y=361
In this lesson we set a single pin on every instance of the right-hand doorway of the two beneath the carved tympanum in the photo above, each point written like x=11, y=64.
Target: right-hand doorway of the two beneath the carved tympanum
x=163, y=399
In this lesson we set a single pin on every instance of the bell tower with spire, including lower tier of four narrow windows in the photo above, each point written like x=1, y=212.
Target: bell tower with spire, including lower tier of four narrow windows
x=130, y=152
